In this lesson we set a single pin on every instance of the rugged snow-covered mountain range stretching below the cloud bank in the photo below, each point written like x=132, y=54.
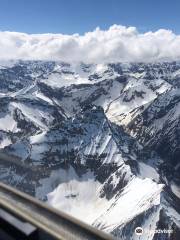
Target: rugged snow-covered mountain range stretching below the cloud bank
x=99, y=141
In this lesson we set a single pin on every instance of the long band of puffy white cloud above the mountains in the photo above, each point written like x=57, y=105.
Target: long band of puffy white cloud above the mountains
x=118, y=43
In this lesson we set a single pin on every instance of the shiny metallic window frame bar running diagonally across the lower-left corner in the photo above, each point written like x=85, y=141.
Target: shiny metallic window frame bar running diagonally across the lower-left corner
x=56, y=223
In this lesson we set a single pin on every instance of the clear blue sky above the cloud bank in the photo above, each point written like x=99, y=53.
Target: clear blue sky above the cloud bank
x=79, y=16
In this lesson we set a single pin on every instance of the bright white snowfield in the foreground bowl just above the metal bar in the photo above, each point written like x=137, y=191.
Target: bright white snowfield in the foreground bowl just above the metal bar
x=81, y=199
